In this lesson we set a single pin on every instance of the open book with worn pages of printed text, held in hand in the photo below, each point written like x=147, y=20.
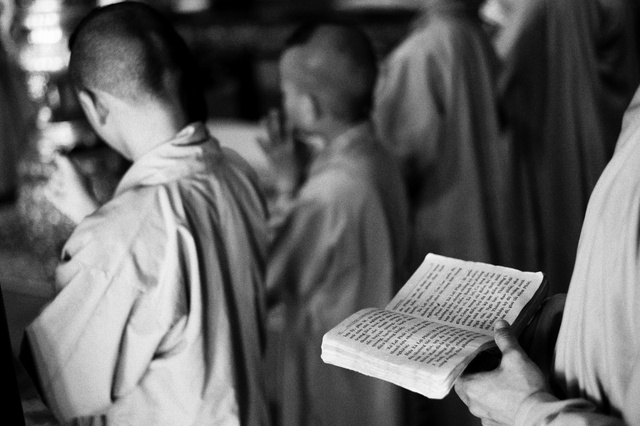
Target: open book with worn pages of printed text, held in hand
x=437, y=323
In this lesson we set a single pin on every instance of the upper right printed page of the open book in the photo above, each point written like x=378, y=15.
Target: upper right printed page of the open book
x=465, y=294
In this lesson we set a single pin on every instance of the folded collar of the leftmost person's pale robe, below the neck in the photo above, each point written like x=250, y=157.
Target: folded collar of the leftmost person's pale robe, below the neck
x=185, y=154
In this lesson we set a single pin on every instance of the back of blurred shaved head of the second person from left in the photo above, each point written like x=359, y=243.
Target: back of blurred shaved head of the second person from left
x=337, y=64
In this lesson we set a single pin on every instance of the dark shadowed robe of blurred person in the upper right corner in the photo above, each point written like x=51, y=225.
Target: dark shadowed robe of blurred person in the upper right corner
x=569, y=71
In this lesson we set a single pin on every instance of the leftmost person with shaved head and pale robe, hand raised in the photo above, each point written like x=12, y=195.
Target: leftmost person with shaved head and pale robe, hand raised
x=159, y=313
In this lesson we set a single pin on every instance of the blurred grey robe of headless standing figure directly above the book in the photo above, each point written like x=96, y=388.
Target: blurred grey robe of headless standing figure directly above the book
x=436, y=109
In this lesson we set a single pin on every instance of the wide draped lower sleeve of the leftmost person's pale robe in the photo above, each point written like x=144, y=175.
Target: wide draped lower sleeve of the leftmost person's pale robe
x=81, y=343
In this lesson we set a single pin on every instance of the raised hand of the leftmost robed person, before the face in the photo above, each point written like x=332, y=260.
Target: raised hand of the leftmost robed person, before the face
x=69, y=191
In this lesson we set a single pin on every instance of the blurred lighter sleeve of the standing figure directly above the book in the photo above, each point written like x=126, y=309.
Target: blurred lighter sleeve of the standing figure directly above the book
x=410, y=106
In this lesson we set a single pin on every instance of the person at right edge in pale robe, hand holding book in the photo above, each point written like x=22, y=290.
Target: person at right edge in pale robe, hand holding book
x=595, y=378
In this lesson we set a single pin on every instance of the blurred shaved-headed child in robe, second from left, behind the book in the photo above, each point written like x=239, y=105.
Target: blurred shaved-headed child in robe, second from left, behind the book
x=339, y=241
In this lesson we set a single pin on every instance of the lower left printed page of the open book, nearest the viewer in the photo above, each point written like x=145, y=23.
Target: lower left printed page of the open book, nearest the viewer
x=401, y=339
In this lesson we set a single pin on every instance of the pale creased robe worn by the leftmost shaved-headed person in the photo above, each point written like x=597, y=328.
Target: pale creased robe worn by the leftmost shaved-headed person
x=159, y=314
